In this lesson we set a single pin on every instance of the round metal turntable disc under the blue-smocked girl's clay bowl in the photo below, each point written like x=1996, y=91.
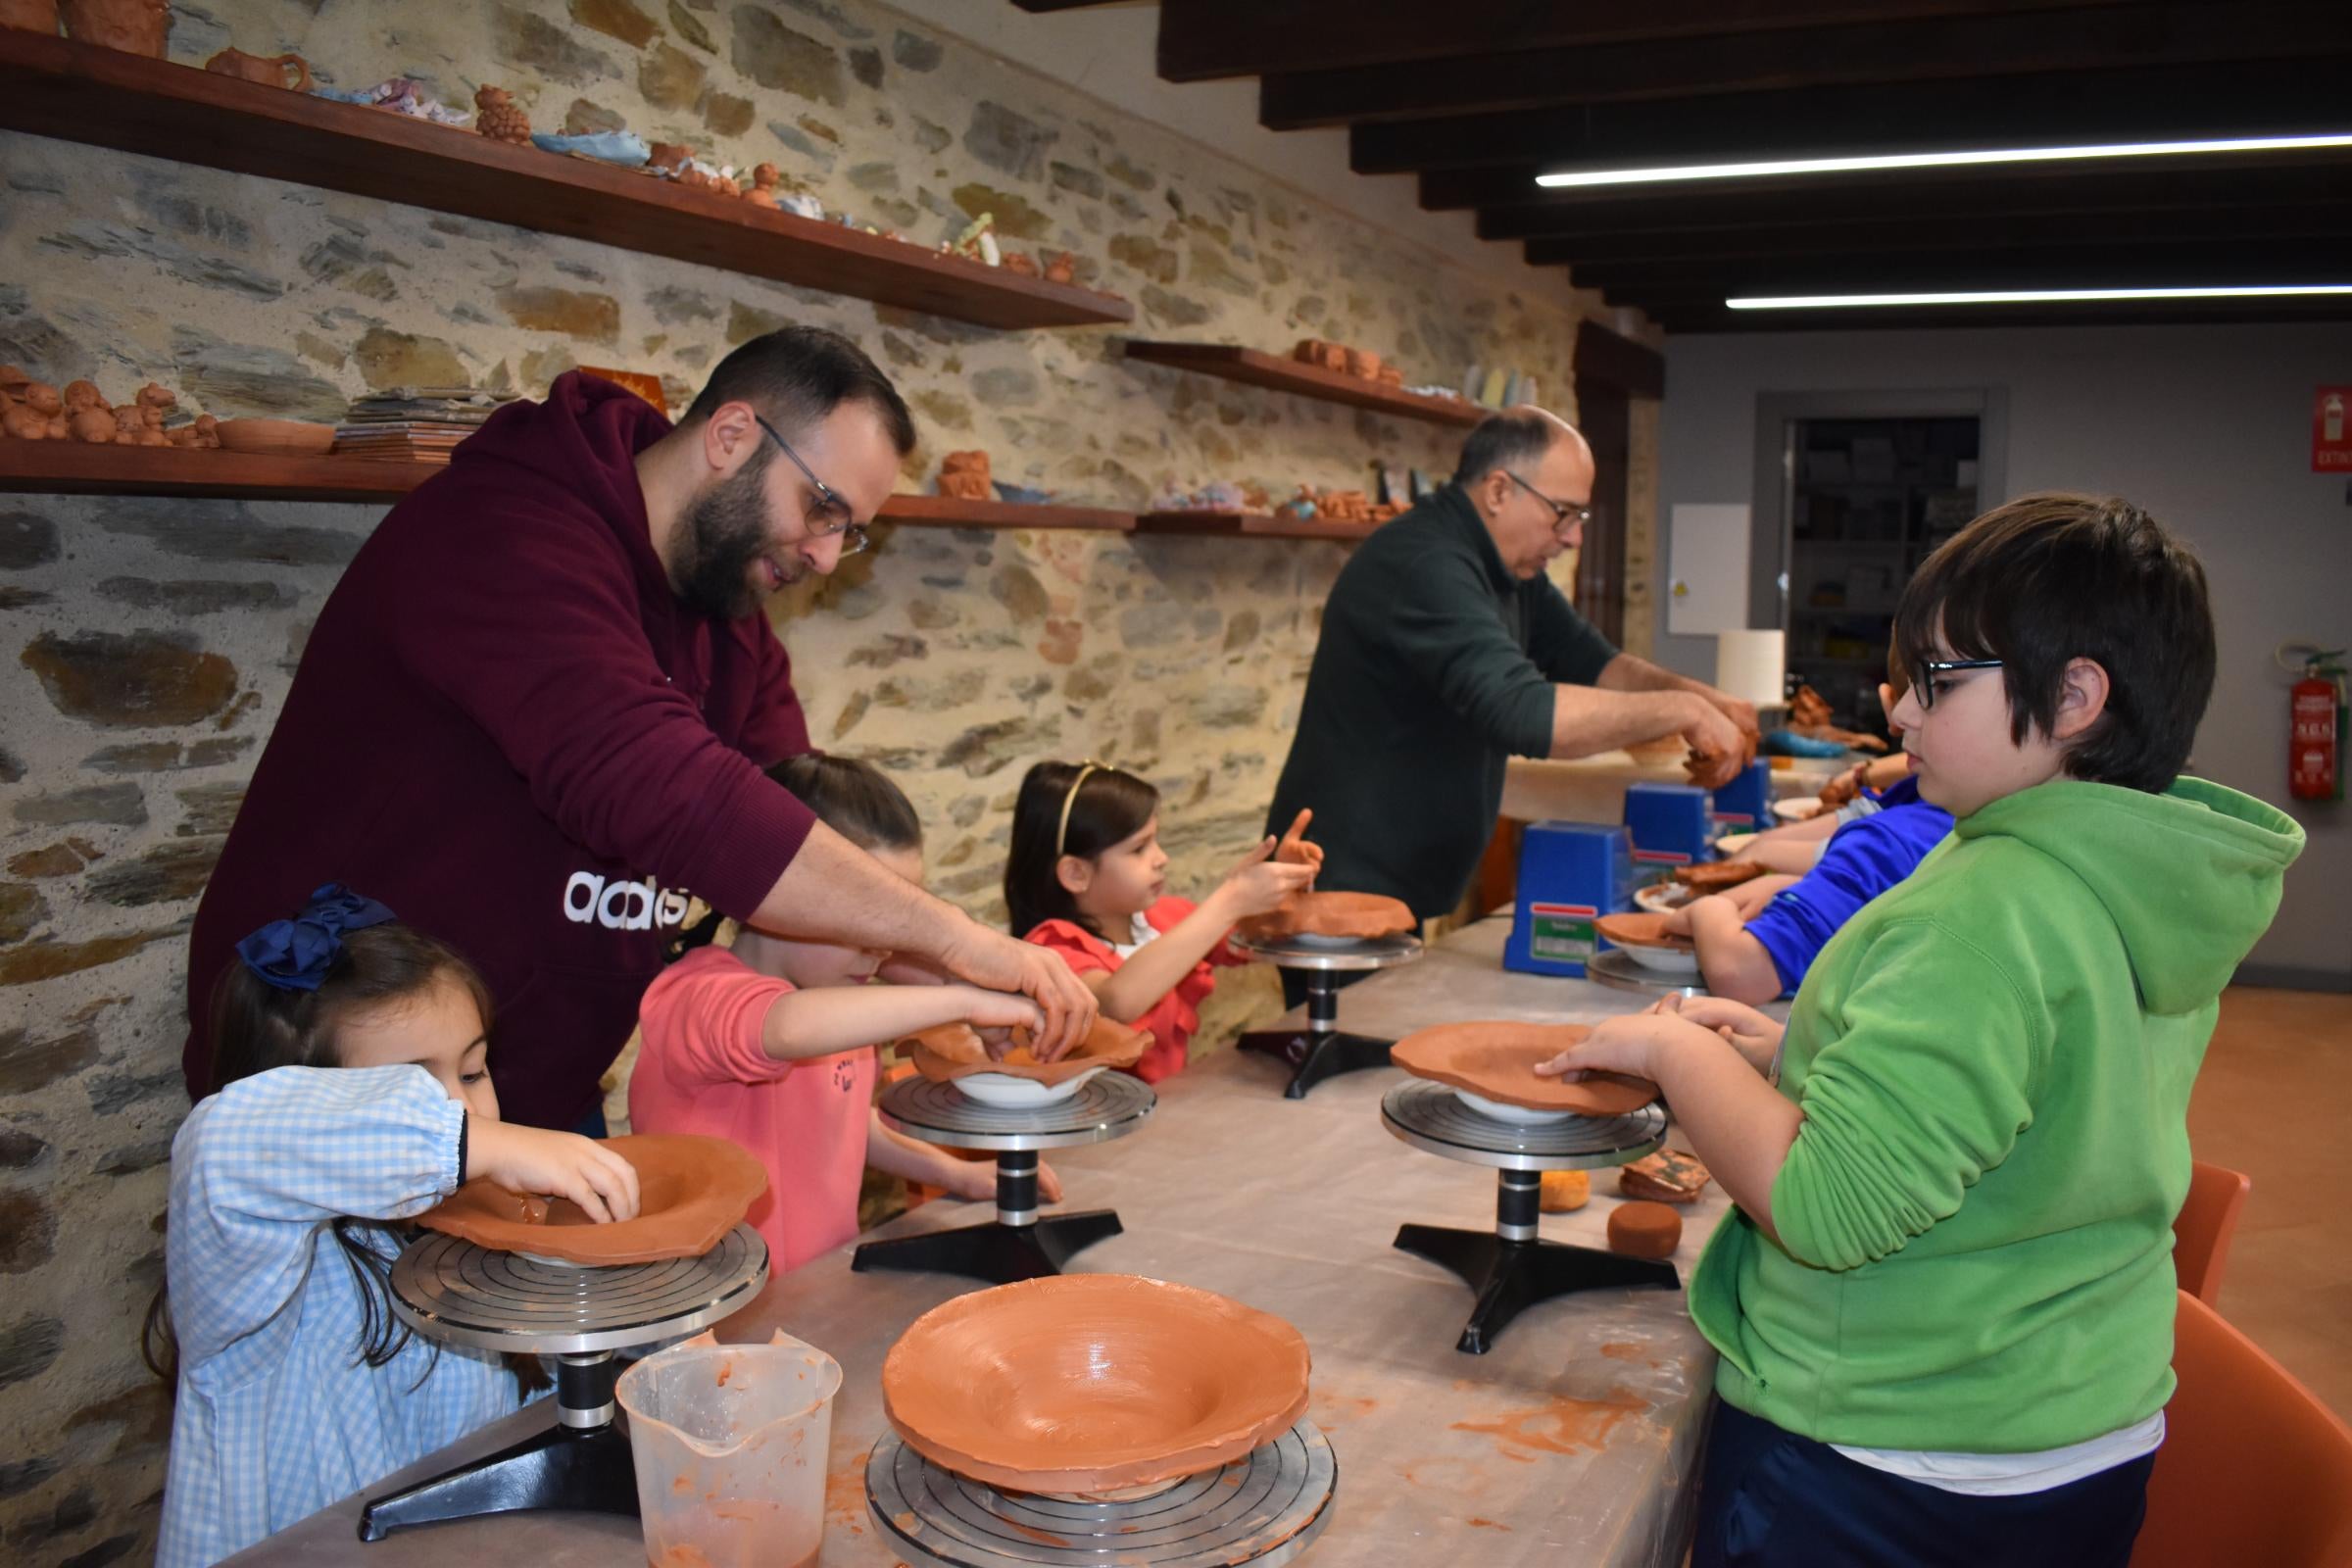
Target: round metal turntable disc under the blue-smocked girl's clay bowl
x=462, y=1294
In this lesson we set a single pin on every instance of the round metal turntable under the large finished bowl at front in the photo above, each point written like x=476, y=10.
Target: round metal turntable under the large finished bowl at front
x=1264, y=1508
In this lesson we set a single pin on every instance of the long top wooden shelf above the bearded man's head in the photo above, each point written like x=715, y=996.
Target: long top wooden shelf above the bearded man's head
x=138, y=105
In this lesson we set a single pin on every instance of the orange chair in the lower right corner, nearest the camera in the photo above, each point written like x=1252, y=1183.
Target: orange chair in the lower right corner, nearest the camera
x=2254, y=1468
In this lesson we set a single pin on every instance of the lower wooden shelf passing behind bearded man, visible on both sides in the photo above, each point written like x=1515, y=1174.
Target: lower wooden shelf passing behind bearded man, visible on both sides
x=76, y=469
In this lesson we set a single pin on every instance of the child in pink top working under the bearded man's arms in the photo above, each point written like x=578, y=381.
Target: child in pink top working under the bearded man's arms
x=773, y=1043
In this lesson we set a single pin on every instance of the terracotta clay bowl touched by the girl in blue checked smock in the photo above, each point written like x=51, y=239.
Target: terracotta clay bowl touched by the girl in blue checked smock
x=690, y=1193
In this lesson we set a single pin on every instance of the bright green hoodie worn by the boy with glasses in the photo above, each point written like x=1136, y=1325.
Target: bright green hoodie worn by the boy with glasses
x=1996, y=1066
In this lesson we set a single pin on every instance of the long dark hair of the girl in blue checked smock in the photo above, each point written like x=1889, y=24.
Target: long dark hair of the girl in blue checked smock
x=255, y=1028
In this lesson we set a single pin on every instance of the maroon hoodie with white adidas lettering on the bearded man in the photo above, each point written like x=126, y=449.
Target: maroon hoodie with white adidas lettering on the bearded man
x=512, y=732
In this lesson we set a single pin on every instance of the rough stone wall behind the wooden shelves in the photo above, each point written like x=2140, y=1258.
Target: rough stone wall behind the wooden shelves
x=149, y=643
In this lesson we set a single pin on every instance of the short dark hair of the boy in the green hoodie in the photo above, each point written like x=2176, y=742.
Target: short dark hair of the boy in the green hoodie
x=2050, y=579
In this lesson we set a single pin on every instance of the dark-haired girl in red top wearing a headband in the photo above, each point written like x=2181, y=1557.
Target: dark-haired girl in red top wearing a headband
x=1088, y=880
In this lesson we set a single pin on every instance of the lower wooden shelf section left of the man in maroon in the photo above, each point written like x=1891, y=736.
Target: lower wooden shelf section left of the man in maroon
x=76, y=469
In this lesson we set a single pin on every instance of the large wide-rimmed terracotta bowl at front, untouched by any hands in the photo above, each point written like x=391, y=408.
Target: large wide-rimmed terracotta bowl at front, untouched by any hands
x=1093, y=1383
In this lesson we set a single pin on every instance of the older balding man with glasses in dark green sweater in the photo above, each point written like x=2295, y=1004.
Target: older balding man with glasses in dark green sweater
x=1448, y=650
